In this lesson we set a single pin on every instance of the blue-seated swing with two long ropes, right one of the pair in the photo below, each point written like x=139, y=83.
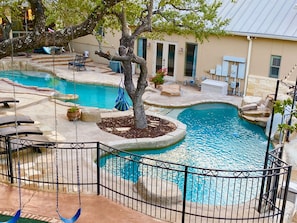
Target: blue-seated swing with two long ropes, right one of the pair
x=75, y=217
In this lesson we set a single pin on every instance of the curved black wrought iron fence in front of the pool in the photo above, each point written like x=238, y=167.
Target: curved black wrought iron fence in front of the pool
x=164, y=190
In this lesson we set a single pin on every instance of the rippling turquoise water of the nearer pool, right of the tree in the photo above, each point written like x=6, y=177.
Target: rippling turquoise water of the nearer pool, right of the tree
x=216, y=139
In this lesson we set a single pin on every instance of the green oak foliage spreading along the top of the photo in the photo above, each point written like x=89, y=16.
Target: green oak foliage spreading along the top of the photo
x=197, y=17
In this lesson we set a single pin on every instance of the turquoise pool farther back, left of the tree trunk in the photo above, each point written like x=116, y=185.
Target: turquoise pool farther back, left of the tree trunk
x=88, y=94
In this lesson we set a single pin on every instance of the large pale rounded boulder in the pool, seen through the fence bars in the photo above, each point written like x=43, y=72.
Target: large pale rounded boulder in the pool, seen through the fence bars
x=158, y=191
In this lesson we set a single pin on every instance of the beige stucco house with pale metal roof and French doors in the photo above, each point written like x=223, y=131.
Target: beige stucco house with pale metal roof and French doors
x=259, y=49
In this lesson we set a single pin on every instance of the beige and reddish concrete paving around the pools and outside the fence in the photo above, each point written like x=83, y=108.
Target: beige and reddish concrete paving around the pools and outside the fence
x=36, y=103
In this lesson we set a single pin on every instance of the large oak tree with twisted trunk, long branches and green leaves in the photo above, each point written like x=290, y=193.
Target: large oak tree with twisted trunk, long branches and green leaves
x=75, y=18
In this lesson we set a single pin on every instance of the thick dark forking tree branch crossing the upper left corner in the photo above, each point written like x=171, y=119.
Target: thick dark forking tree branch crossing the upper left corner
x=41, y=37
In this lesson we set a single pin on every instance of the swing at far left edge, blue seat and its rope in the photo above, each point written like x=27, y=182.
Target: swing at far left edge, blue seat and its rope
x=17, y=215
